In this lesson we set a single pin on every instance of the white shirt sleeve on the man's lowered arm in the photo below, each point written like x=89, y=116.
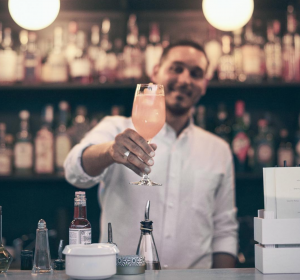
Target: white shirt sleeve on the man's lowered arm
x=225, y=223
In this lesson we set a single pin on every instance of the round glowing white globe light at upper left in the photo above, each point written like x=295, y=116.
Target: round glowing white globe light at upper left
x=34, y=14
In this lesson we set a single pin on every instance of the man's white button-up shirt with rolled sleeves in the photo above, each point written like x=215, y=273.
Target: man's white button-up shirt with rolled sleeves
x=193, y=212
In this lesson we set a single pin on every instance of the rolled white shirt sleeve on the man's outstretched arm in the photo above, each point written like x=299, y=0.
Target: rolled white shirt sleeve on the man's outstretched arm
x=105, y=131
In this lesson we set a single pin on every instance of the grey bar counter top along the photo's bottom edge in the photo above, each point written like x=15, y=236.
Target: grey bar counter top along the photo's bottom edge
x=191, y=274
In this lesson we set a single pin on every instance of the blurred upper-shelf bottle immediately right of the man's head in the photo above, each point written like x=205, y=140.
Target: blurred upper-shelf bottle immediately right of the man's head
x=213, y=49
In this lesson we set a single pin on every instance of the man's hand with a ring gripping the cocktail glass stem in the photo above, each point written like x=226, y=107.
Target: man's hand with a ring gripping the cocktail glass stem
x=141, y=153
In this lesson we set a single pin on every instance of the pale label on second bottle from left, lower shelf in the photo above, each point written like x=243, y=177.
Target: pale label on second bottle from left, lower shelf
x=23, y=155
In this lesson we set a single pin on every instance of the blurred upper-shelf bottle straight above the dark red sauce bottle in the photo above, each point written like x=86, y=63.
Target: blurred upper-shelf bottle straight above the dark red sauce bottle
x=80, y=66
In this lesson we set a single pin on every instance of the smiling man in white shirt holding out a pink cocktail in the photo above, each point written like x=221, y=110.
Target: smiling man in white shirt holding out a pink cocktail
x=193, y=212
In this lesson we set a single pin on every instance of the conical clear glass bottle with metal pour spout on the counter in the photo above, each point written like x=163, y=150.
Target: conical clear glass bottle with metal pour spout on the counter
x=146, y=247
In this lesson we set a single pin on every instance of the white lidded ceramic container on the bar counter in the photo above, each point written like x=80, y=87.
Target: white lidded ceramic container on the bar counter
x=93, y=261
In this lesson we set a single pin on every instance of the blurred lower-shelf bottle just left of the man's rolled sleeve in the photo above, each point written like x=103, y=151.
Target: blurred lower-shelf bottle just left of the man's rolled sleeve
x=63, y=143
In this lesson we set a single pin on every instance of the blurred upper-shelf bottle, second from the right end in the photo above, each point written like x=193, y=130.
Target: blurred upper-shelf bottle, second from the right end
x=273, y=52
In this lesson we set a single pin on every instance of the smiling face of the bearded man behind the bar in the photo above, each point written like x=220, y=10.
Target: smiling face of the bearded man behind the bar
x=182, y=73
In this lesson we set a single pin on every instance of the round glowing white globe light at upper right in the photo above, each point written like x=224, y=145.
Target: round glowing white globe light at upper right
x=228, y=15
